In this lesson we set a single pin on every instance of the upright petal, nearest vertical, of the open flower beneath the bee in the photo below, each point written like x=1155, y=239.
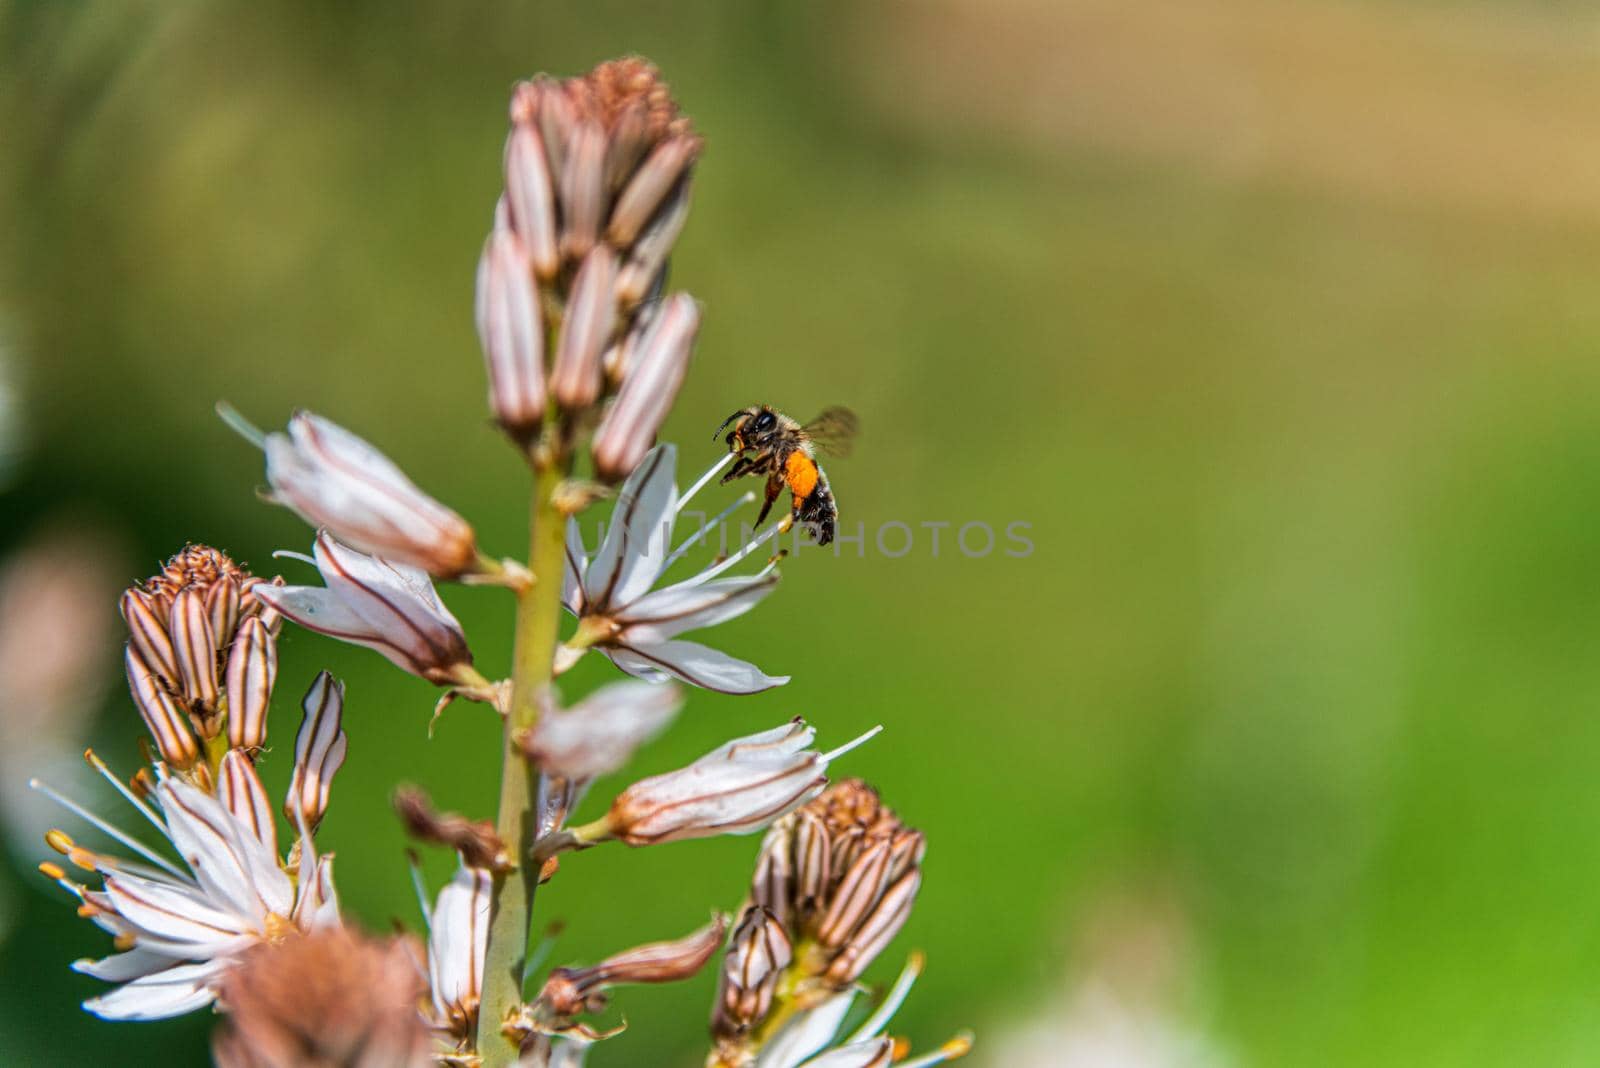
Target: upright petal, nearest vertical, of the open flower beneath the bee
x=641, y=533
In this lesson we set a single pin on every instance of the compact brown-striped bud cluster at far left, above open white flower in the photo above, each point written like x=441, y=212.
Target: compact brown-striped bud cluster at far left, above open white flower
x=202, y=652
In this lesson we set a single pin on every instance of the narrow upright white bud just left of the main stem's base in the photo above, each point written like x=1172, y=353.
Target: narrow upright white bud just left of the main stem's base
x=457, y=946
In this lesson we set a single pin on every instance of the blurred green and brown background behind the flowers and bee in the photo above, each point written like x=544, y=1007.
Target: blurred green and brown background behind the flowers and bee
x=1276, y=321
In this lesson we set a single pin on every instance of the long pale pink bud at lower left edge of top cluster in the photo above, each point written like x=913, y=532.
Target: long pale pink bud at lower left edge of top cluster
x=513, y=337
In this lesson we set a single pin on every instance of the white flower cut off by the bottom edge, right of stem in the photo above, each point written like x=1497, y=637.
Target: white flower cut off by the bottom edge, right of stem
x=814, y=1040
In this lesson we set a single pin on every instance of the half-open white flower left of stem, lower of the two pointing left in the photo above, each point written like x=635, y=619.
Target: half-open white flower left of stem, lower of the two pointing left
x=378, y=604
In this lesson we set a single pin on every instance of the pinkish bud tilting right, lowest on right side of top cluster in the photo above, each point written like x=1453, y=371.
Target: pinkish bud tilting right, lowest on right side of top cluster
x=649, y=389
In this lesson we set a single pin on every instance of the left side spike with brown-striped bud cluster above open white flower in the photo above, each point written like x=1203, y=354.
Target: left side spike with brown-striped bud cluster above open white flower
x=202, y=664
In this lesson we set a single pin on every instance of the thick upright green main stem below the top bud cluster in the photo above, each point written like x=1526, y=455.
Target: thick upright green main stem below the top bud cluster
x=538, y=621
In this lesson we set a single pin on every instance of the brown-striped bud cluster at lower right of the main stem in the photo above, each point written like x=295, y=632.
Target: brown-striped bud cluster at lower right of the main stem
x=834, y=885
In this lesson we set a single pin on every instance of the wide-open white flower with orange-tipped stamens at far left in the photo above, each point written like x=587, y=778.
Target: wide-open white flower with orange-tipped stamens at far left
x=180, y=928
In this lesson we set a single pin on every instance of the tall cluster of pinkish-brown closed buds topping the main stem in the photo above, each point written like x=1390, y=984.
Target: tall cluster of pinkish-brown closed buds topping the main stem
x=598, y=188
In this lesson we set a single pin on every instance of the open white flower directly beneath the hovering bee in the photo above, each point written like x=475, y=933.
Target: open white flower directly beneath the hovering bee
x=636, y=626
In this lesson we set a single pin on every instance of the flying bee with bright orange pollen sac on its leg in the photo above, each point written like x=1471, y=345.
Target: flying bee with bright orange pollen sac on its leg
x=772, y=444
